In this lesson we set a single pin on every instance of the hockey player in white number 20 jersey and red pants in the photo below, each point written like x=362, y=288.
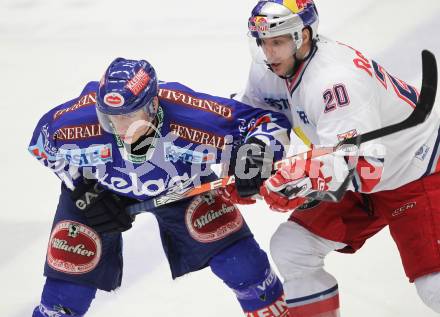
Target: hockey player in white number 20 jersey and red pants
x=331, y=91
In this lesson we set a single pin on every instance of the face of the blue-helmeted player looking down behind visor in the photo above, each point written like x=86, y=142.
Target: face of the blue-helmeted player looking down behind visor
x=130, y=127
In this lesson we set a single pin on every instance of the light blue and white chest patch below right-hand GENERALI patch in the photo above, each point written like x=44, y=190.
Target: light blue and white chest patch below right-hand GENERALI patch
x=174, y=153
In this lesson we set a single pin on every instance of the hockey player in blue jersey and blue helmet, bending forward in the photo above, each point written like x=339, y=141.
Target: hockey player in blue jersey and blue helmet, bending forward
x=129, y=138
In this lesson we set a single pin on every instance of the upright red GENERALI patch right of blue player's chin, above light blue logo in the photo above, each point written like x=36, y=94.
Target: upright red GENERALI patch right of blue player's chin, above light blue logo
x=197, y=136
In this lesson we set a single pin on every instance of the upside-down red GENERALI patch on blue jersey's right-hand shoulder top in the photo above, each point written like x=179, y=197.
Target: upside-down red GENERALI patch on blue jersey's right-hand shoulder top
x=185, y=99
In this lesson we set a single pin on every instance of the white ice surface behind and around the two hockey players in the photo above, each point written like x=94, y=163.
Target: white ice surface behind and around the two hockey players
x=50, y=48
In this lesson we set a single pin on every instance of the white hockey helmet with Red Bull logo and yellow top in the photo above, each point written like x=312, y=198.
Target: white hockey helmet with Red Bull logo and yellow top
x=271, y=18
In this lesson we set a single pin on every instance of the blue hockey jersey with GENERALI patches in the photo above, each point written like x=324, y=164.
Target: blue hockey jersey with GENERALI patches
x=194, y=130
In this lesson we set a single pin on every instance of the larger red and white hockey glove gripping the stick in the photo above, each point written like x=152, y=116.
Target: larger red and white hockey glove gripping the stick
x=288, y=188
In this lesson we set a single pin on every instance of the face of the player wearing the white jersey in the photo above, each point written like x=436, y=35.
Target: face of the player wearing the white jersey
x=279, y=52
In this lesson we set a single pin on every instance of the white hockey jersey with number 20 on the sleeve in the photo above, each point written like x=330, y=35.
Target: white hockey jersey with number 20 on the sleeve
x=337, y=93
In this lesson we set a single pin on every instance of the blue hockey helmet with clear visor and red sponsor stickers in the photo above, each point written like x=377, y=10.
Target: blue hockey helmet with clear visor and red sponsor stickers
x=127, y=88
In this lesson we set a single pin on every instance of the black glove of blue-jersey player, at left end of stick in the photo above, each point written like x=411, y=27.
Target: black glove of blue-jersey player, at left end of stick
x=103, y=209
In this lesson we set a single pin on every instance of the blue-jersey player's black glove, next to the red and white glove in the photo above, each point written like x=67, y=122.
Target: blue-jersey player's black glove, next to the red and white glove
x=252, y=167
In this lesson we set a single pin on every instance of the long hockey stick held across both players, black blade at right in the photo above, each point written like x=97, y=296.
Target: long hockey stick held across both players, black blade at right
x=420, y=113
